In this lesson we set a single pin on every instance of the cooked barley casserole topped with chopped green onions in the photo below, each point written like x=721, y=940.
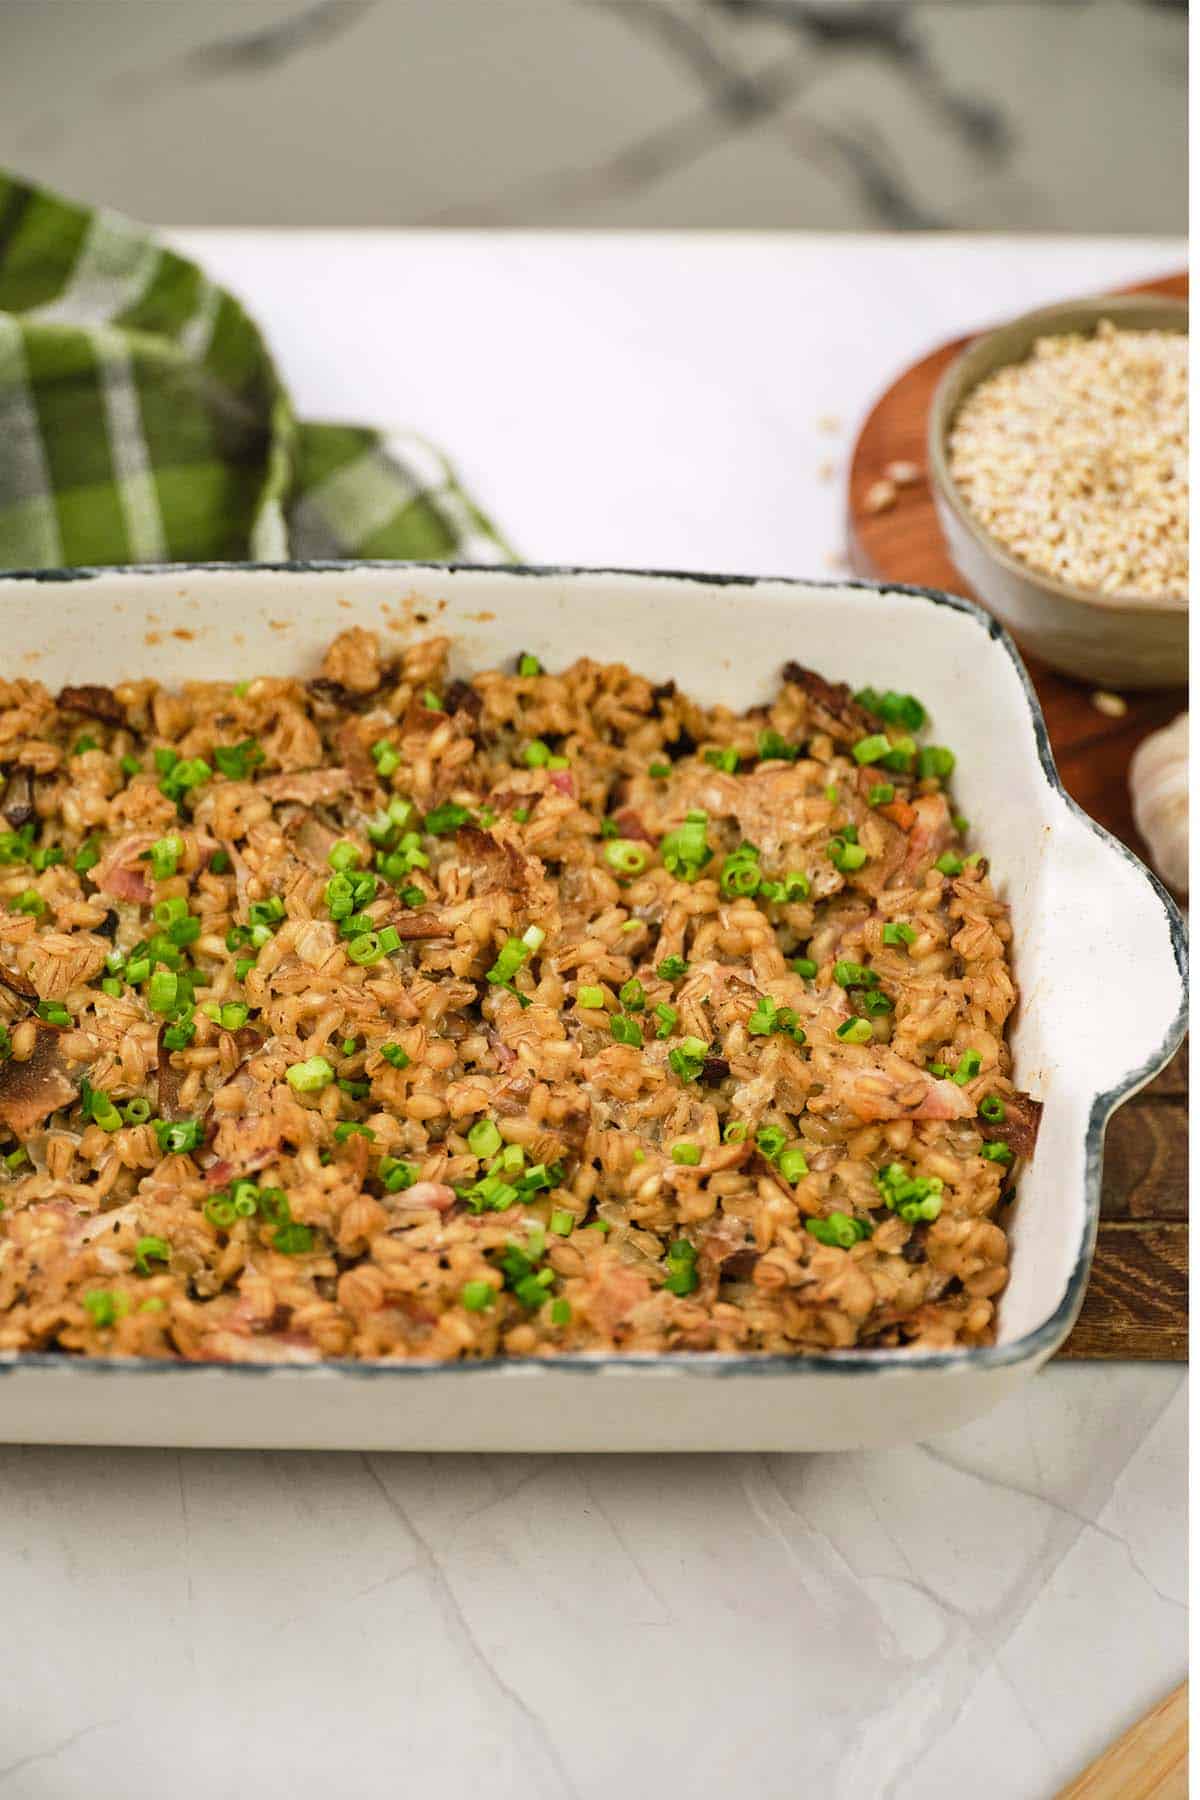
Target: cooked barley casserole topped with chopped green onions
x=397, y=1016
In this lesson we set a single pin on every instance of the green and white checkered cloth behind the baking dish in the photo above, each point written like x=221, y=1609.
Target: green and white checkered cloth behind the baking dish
x=143, y=420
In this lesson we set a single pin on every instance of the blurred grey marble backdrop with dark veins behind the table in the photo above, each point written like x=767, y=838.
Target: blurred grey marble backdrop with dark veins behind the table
x=828, y=114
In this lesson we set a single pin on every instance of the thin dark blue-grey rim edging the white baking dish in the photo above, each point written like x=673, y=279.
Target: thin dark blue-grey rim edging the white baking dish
x=681, y=1363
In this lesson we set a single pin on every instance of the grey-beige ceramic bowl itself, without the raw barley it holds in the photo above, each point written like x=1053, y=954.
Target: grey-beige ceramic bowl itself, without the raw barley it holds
x=1100, y=638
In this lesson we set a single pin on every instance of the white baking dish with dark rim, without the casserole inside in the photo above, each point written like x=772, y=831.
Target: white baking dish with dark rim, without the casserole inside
x=1100, y=960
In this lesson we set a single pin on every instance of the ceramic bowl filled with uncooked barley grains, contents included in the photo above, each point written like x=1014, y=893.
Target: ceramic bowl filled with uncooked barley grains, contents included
x=1059, y=463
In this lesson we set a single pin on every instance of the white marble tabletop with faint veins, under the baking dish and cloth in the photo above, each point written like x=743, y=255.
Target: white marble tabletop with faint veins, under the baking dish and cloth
x=978, y=1614
